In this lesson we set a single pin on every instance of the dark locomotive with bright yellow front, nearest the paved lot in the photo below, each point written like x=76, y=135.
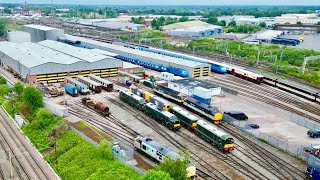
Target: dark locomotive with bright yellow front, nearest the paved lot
x=212, y=113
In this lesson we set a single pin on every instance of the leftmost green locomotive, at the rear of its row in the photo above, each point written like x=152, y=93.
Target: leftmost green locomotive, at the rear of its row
x=132, y=99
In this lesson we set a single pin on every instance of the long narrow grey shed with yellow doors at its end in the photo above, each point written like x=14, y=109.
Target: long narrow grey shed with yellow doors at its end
x=194, y=69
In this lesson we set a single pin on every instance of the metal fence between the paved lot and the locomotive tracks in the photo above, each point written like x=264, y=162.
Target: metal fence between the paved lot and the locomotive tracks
x=294, y=149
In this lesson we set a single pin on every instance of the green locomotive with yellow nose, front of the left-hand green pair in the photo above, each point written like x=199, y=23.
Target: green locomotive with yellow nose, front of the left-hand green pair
x=163, y=117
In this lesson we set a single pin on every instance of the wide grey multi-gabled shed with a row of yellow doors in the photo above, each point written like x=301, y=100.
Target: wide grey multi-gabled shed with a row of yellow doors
x=45, y=62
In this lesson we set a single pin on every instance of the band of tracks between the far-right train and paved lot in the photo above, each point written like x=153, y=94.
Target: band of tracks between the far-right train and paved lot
x=269, y=96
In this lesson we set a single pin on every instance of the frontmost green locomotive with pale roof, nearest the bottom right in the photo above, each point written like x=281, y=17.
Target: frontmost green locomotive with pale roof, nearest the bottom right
x=215, y=136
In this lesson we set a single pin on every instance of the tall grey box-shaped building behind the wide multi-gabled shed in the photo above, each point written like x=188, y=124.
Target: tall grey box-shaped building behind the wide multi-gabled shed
x=41, y=33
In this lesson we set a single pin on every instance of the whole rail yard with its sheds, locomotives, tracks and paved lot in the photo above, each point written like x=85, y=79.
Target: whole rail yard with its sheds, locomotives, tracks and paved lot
x=174, y=104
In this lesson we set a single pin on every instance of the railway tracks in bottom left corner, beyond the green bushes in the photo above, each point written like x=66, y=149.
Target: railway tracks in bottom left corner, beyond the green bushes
x=27, y=162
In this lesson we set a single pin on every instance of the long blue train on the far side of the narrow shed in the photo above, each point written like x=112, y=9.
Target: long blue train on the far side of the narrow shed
x=215, y=67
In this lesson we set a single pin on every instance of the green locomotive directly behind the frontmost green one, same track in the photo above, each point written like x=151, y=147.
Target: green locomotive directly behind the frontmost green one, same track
x=186, y=119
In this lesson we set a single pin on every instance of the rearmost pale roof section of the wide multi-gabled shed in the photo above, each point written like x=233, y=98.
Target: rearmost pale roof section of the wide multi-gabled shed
x=81, y=53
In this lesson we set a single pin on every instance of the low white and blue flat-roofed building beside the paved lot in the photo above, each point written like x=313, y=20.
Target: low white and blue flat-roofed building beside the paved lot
x=187, y=86
